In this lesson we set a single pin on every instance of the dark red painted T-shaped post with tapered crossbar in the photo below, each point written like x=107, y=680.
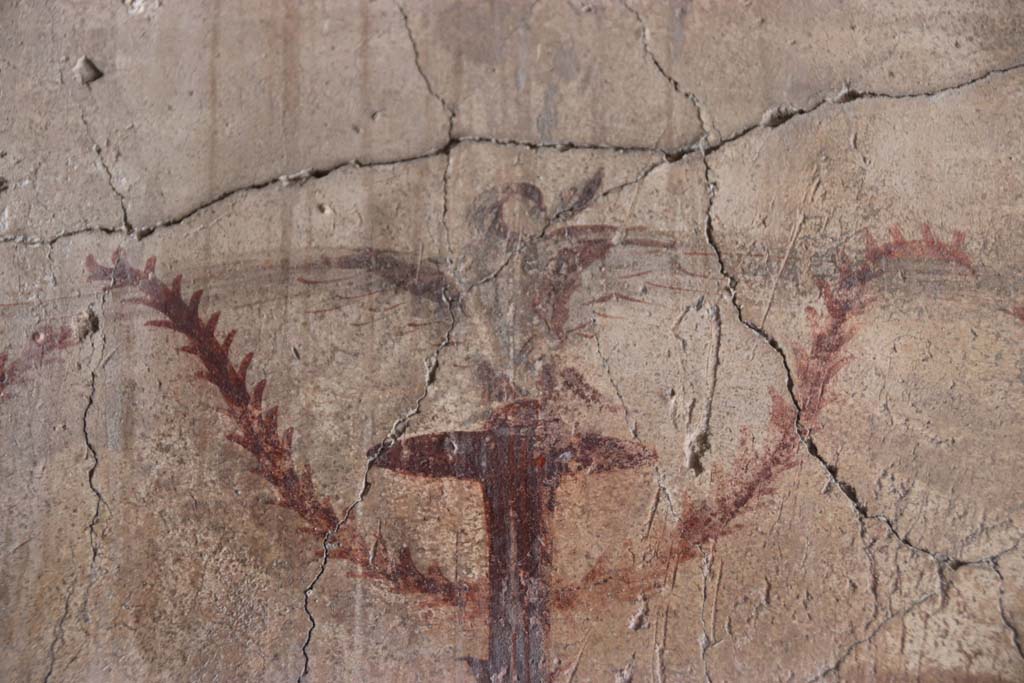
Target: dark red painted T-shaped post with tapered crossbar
x=519, y=458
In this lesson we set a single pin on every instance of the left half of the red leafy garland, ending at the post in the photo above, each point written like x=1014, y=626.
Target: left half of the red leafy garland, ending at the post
x=257, y=431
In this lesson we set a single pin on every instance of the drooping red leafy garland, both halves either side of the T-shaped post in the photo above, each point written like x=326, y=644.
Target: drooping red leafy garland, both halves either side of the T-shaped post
x=753, y=476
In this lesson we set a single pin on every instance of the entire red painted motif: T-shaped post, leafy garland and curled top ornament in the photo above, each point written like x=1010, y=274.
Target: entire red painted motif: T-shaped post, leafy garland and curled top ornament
x=520, y=455
